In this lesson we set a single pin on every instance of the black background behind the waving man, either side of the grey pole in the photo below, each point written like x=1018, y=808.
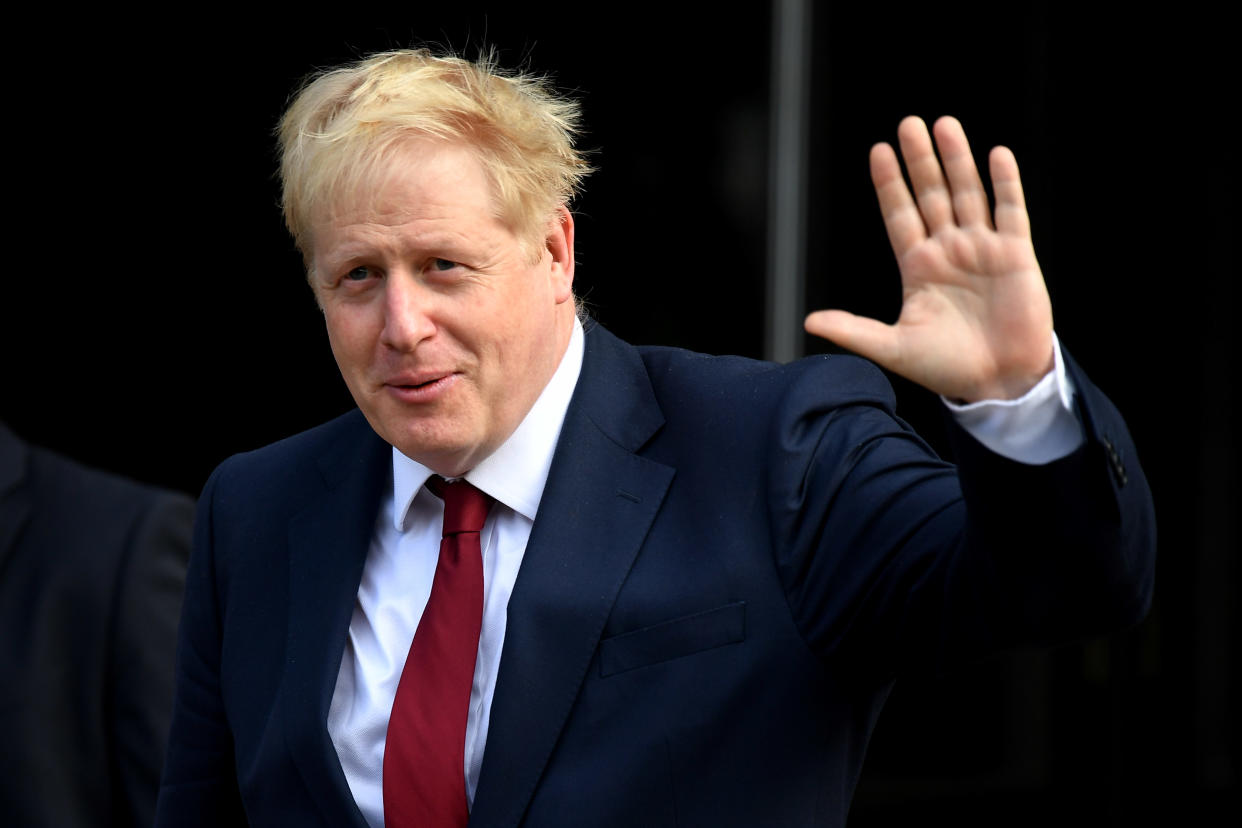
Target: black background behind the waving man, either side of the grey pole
x=156, y=318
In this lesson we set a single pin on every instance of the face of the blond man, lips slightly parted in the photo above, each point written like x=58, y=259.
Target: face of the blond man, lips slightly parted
x=445, y=327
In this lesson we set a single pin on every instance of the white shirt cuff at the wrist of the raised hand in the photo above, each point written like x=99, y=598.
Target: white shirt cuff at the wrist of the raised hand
x=1039, y=428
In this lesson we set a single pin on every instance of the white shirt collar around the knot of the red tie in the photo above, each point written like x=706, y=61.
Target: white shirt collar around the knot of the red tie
x=517, y=471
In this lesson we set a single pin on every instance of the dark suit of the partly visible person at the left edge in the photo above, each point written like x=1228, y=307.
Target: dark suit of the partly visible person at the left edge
x=93, y=569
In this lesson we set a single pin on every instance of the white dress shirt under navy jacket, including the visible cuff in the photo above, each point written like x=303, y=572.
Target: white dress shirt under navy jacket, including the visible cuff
x=406, y=546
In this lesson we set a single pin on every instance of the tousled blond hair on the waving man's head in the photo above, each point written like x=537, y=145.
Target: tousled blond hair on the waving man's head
x=346, y=124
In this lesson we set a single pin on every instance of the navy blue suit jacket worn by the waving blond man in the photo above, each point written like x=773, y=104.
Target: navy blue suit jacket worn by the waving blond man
x=731, y=564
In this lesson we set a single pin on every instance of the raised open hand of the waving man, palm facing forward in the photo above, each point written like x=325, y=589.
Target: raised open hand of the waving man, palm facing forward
x=976, y=322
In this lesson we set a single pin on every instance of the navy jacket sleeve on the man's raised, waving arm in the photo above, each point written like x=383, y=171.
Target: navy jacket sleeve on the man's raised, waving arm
x=900, y=562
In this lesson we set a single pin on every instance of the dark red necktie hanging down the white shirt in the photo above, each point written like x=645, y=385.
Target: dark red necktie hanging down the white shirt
x=425, y=753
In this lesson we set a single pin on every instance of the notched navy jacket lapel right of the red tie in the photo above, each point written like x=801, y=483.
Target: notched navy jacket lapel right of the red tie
x=597, y=508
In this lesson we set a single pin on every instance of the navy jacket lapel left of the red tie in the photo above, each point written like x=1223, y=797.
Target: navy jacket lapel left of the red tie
x=329, y=544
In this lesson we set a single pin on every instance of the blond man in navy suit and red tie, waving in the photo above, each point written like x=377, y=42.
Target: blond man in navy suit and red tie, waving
x=700, y=575
